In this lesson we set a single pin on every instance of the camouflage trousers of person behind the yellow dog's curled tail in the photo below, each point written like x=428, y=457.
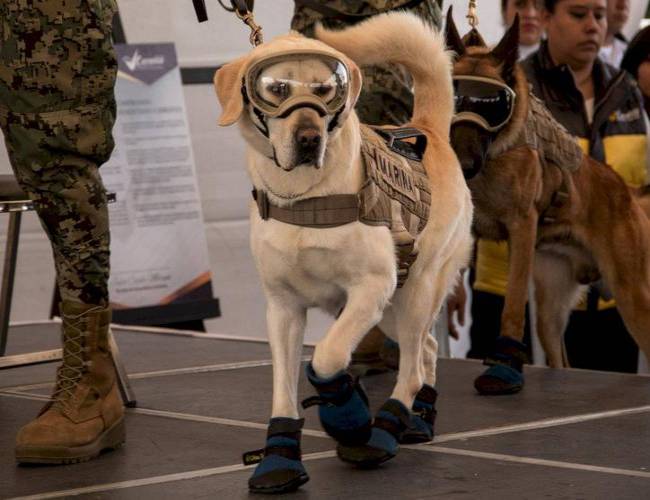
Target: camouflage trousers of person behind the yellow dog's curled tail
x=386, y=96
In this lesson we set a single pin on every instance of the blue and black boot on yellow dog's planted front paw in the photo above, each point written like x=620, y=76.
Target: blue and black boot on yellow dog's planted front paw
x=279, y=467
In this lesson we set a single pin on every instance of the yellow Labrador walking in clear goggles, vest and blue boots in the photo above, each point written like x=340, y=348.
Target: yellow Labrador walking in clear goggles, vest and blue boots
x=293, y=99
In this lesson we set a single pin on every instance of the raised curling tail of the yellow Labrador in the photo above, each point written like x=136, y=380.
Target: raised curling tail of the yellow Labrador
x=403, y=38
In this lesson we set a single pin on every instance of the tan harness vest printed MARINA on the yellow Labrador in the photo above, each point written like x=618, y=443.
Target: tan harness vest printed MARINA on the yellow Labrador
x=396, y=194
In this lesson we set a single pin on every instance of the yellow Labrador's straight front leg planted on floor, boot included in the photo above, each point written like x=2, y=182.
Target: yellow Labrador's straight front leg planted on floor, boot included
x=280, y=469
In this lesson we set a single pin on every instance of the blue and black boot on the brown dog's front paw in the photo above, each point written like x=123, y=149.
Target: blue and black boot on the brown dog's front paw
x=505, y=372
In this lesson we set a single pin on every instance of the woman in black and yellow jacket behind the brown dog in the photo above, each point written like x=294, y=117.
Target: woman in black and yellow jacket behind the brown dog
x=603, y=108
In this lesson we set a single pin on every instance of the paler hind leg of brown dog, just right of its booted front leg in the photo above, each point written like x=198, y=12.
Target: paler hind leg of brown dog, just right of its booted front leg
x=556, y=292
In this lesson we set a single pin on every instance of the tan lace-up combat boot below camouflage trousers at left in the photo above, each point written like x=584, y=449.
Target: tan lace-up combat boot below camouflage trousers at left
x=85, y=415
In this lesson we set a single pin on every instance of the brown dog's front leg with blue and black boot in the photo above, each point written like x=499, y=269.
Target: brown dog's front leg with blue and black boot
x=505, y=372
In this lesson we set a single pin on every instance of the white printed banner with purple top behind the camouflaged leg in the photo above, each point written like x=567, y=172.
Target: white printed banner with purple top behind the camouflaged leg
x=158, y=245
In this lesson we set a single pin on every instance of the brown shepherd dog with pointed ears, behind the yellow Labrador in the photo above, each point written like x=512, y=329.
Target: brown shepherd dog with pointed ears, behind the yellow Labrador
x=598, y=226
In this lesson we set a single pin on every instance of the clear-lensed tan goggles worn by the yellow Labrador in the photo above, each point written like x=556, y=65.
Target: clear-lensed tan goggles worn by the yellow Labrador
x=279, y=84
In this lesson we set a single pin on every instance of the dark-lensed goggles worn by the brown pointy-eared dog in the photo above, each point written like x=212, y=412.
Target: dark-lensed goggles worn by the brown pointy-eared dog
x=488, y=103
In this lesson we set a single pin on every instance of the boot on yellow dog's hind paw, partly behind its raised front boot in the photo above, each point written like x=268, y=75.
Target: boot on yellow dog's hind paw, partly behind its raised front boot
x=391, y=421
